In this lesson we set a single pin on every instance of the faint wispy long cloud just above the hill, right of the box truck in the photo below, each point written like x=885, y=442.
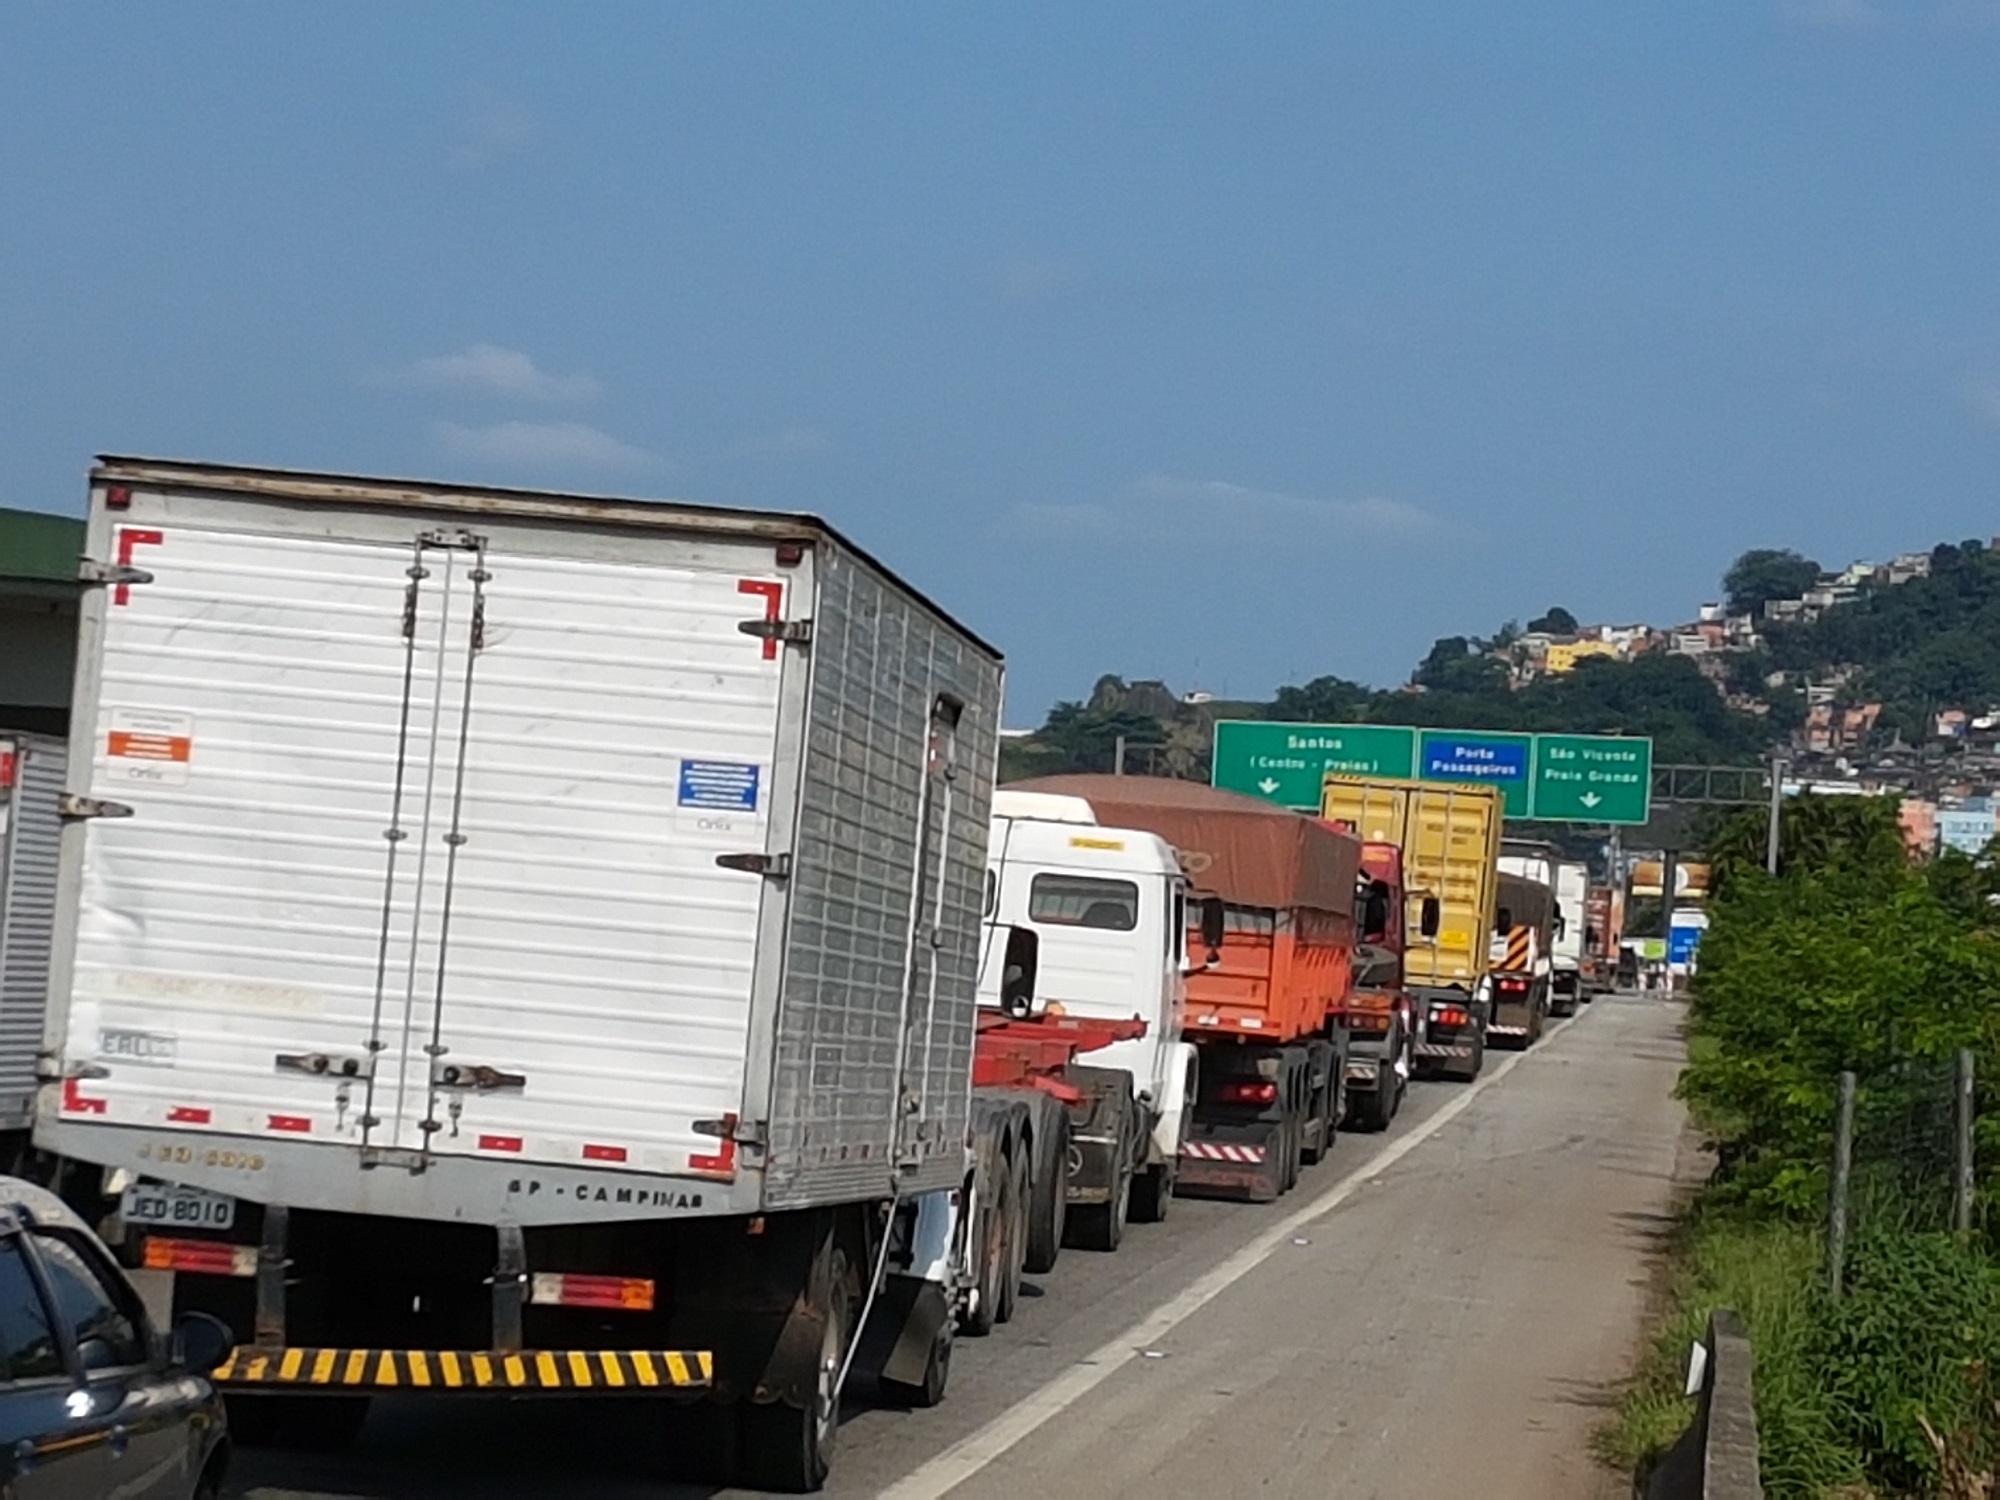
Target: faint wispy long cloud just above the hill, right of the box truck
x=1167, y=509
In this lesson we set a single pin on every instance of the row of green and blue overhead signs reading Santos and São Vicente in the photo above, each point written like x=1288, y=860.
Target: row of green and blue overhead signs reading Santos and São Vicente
x=1541, y=777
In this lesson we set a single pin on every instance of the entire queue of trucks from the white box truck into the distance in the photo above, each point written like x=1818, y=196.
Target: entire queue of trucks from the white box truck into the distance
x=547, y=947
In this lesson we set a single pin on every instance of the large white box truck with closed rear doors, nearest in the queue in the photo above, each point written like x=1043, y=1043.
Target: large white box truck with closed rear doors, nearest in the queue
x=521, y=943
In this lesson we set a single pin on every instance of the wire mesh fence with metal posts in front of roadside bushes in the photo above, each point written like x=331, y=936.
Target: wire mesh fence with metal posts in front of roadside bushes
x=1907, y=1155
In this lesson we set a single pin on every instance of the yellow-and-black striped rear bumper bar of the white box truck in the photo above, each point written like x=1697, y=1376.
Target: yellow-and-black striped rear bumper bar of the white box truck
x=607, y=1371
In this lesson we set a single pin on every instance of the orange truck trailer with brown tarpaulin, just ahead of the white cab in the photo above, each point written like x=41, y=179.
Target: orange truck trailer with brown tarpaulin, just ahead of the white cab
x=1273, y=933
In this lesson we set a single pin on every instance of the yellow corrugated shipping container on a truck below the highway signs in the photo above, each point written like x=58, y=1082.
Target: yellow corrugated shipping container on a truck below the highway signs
x=1451, y=849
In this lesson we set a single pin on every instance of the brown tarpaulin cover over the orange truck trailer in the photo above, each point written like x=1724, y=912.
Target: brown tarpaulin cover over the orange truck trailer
x=1231, y=845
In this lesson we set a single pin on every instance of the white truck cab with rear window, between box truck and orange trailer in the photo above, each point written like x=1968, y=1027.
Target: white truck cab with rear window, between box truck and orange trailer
x=1087, y=925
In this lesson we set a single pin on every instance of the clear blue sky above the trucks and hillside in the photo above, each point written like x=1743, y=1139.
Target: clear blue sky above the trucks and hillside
x=1229, y=345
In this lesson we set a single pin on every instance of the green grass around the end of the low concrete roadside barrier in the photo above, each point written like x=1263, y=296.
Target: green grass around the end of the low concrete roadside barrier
x=1769, y=1273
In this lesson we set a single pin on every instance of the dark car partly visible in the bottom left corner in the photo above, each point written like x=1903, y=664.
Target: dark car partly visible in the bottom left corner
x=93, y=1401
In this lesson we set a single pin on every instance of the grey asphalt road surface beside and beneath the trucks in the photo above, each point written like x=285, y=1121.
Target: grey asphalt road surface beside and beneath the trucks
x=1439, y=1311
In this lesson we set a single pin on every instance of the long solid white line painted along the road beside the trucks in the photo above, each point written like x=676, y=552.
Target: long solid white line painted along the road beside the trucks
x=989, y=1443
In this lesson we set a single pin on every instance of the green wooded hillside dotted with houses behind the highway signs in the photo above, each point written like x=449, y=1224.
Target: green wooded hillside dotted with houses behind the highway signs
x=1879, y=677
